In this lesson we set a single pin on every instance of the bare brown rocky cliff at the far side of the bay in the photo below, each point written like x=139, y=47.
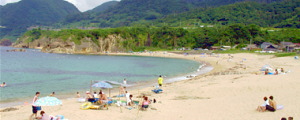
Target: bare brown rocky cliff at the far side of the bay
x=112, y=43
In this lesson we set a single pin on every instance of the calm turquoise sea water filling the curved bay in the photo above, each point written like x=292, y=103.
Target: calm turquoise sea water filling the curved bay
x=28, y=72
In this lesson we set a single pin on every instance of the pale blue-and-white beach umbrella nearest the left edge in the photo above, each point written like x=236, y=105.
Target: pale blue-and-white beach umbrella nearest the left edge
x=47, y=101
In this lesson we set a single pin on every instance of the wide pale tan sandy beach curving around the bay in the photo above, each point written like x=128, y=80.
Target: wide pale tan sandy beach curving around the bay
x=231, y=91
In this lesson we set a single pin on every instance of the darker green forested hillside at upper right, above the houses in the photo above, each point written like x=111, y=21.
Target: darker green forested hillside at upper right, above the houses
x=277, y=14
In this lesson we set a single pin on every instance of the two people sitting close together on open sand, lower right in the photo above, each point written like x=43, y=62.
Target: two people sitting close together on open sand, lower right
x=268, y=105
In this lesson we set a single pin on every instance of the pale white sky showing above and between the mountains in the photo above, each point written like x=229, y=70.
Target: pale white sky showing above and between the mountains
x=82, y=5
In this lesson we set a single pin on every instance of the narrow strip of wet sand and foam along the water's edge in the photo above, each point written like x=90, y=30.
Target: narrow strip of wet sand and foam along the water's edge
x=140, y=85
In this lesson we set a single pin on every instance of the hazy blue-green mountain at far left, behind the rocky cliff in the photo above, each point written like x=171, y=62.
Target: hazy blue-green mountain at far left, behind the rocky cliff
x=16, y=17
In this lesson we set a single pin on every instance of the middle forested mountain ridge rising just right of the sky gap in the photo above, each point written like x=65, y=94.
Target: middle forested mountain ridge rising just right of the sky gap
x=128, y=11
